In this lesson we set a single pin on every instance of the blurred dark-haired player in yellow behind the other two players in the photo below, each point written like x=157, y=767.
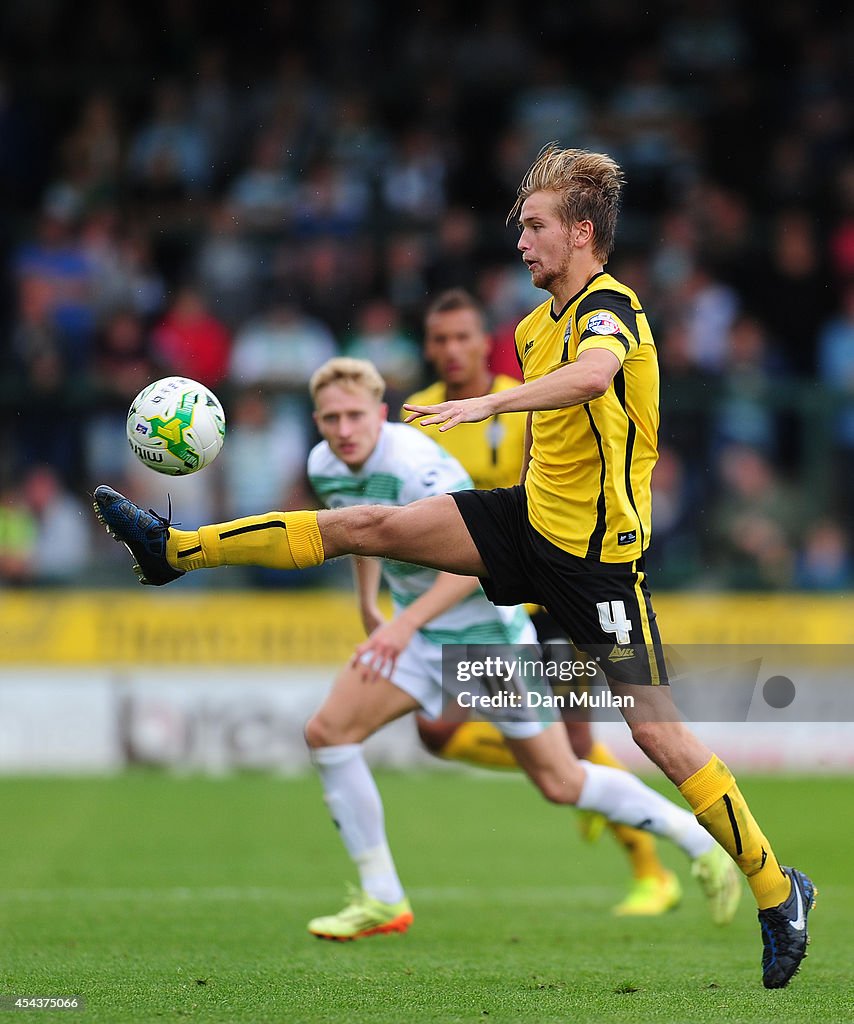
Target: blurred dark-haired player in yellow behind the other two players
x=457, y=346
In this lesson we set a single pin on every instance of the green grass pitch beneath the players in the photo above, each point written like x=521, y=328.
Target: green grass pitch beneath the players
x=159, y=899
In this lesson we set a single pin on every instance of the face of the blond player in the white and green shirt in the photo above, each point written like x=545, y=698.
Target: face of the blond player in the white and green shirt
x=351, y=420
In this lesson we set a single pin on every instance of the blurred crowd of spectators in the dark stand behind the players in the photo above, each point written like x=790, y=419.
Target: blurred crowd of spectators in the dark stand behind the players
x=238, y=195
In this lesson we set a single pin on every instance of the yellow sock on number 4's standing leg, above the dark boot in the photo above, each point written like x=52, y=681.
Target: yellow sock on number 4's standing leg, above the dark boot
x=722, y=810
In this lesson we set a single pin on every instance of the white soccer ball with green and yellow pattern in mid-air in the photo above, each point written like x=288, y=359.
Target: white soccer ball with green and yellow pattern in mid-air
x=177, y=426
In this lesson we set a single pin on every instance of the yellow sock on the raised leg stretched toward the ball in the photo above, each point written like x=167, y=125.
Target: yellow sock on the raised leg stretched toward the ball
x=277, y=541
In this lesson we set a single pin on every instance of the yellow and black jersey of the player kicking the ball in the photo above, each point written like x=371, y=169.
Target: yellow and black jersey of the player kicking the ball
x=589, y=479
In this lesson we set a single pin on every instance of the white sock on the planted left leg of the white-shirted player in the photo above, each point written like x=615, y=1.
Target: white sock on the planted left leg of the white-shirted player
x=357, y=809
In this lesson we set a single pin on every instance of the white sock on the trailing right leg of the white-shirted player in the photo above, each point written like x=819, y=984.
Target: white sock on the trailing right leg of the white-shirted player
x=623, y=798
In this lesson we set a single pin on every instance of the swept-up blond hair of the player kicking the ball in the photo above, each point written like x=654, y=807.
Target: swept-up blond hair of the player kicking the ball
x=587, y=186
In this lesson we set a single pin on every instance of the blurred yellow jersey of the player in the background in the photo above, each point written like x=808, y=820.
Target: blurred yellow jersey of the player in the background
x=492, y=451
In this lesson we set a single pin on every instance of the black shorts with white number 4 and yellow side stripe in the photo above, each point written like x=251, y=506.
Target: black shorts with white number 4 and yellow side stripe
x=604, y=608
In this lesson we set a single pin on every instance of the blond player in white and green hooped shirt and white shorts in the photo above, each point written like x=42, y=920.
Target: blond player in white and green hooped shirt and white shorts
x=366, y=460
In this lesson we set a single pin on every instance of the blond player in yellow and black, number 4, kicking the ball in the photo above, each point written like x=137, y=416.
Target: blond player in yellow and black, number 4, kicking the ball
x=573, y=539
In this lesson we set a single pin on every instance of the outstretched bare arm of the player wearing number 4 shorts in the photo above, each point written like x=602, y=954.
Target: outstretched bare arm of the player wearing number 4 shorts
x=585, y=380
